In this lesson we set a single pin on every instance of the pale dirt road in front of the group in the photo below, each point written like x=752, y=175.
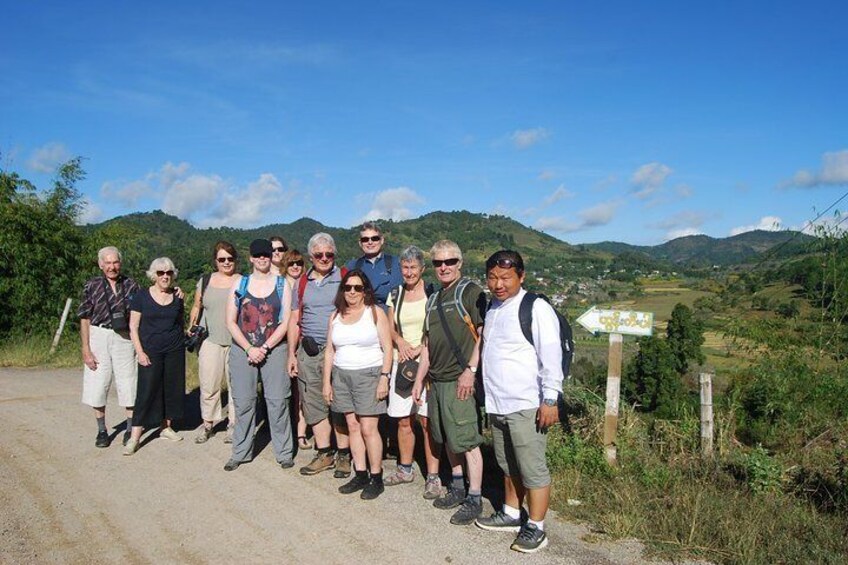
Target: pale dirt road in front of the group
x=65, y=501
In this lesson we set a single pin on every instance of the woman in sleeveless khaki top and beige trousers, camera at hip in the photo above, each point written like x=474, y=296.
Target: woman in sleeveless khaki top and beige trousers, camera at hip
x=209, y=311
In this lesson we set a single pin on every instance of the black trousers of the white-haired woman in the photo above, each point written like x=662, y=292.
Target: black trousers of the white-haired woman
x=160, y=392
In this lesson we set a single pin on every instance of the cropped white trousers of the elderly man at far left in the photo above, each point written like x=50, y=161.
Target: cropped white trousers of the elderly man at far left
x=115, y=356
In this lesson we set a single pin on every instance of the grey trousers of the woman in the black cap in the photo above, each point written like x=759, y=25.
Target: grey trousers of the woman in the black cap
x=277, y=387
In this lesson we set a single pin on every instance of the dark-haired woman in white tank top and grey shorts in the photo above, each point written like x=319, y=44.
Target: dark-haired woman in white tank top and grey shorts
x=357, y=362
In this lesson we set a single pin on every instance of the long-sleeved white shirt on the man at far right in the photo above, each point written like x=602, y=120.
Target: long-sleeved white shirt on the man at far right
x=517, y=375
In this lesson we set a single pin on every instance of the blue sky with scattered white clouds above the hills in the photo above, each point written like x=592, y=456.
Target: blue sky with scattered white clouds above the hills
x=628, y=121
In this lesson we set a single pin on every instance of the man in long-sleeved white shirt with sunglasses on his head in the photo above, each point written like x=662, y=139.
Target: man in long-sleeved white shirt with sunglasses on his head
x=523, y=381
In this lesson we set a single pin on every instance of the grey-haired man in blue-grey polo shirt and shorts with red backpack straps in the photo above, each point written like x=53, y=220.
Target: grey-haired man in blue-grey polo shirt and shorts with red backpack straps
x=313, y=303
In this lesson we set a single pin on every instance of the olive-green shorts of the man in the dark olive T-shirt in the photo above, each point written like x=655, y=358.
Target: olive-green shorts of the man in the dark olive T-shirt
x=453, y=421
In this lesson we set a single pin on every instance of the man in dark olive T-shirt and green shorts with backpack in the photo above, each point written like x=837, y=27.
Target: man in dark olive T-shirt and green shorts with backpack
x=453, y=318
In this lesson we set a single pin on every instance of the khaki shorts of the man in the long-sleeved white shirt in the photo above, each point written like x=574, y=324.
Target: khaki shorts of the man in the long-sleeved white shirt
x=520, y=447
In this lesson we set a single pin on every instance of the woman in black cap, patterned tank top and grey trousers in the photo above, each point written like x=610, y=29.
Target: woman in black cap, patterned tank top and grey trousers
x=257, y=317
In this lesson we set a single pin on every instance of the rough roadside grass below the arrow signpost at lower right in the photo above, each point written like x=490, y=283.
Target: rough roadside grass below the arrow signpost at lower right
x=736, y=508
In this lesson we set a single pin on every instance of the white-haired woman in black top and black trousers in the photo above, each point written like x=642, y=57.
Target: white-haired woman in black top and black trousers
x=157, y=333
